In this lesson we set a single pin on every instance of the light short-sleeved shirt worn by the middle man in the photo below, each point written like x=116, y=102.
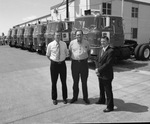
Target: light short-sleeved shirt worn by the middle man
x=79, y=51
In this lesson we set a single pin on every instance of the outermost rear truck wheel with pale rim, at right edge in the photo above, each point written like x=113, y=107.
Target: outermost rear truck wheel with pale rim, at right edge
x=144, y=52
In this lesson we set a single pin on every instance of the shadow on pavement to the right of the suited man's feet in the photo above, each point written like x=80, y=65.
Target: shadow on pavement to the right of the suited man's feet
x=129, y=107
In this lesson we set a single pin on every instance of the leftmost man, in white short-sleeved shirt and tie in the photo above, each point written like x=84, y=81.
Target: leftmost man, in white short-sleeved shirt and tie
x=57, y=53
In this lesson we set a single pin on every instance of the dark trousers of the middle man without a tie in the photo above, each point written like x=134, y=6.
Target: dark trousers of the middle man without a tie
x=79, y=69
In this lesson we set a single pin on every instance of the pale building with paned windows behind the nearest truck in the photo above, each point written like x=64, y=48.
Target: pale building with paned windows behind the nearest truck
x=135, y=13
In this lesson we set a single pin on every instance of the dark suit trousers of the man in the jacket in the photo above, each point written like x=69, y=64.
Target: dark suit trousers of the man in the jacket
x=105, y=86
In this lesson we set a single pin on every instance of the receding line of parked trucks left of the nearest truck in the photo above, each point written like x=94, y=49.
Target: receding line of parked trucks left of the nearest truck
x=35, y=37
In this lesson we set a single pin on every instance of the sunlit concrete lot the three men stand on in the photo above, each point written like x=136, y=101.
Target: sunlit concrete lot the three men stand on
x=25, y=96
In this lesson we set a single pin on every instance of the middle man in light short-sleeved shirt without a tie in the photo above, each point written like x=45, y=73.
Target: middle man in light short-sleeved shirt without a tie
x=79, y=52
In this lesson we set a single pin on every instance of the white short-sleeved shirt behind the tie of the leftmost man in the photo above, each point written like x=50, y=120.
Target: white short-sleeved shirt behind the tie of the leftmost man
x=52, y=51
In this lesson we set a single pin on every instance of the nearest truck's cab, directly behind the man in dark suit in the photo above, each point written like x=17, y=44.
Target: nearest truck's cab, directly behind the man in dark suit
x=96, y=26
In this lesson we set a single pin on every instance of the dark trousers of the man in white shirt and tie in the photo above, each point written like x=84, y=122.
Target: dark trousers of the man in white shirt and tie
x=56, y=69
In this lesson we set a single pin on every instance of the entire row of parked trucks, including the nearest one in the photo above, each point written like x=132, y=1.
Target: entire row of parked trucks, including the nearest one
x=36, y=37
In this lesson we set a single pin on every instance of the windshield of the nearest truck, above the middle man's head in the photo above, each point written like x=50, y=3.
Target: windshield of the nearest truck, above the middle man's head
x=84, y=23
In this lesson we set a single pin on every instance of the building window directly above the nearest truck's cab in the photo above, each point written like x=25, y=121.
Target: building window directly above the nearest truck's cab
x=106, y=8
